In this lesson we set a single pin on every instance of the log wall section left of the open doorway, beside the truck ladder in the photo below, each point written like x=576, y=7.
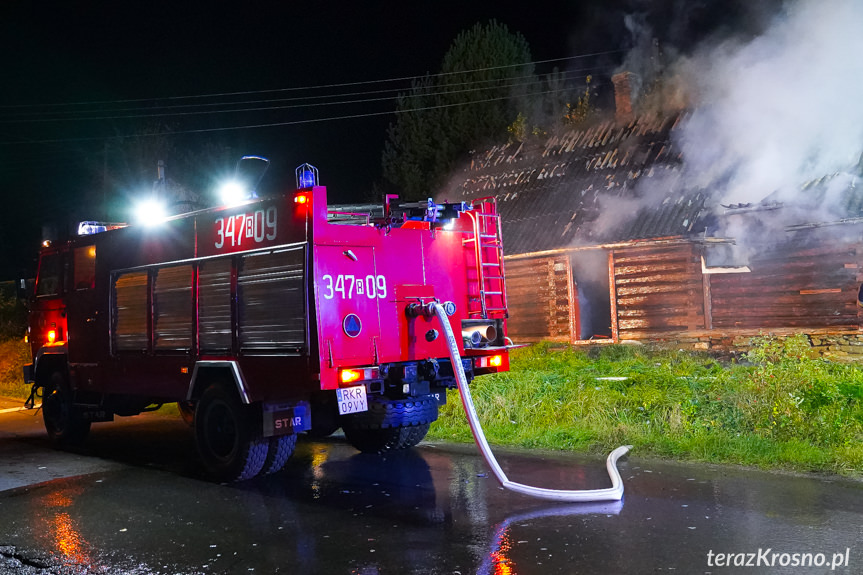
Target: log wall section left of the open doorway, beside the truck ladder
x=538, y=299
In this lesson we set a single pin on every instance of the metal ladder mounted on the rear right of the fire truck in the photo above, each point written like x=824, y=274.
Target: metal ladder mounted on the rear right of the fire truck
x=487, y=285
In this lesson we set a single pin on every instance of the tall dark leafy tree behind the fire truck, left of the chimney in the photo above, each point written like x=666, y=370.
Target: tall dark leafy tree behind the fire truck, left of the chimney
x=483, y=84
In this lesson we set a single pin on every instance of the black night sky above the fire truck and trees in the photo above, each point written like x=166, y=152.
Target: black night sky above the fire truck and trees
x=112, y=60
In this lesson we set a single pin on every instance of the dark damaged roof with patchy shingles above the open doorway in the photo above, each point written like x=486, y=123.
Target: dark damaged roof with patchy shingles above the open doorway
x=598, y=184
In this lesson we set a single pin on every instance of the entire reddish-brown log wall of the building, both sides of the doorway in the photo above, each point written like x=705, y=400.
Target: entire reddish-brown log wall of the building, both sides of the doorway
x=661, y=292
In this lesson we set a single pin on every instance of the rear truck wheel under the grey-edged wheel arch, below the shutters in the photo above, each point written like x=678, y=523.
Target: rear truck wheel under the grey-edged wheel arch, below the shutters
x=229, y=442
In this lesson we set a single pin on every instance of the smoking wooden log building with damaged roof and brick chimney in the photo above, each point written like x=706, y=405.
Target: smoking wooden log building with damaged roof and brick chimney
x=605, y=241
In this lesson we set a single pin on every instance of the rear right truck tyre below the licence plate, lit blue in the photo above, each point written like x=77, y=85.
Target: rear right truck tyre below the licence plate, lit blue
x=390, y=424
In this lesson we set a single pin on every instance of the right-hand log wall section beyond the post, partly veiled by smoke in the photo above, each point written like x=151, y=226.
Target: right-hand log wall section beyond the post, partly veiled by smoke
x=791, y=286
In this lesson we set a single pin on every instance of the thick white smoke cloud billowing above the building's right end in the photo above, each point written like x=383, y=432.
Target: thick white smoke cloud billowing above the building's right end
x=780, y=110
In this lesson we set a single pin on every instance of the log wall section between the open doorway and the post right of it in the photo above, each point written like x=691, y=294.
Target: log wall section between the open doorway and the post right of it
x=659, y=289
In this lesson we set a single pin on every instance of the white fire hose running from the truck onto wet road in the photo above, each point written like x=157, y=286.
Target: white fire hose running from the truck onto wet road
x=613, y=493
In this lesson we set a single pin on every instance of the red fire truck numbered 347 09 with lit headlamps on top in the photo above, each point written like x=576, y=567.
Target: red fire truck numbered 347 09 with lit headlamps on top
x=269, y=318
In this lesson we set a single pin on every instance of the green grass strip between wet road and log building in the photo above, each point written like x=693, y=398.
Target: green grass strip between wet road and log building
x=779, y=409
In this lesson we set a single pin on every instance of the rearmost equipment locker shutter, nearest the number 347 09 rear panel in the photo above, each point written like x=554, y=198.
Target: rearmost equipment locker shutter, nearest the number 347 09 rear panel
x=271, y=301
